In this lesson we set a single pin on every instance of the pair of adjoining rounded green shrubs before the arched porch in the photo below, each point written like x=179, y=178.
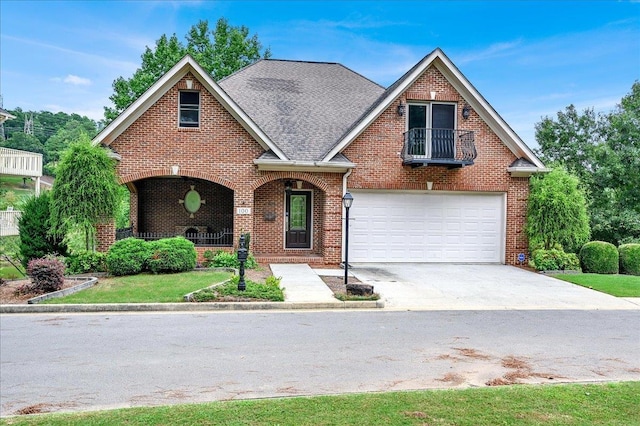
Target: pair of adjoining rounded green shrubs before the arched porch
x=131, y=256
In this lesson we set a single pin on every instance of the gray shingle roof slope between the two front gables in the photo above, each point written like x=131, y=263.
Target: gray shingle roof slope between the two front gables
x=304, y=107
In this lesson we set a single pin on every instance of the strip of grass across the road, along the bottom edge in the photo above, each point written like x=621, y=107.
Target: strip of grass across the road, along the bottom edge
x=595, y=404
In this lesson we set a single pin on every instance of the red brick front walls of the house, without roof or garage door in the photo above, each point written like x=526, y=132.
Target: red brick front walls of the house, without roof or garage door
x=217, y=158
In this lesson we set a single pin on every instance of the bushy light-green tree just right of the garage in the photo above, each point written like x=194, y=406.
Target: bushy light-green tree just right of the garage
x=557, y=212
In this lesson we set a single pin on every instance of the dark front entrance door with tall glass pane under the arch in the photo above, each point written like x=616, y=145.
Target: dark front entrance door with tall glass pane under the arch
x=298, y=219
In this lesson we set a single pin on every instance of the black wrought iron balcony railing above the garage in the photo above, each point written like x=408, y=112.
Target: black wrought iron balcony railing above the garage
x=444, y=147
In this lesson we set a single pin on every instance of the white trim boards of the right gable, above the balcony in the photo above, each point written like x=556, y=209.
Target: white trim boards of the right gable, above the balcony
x=438, y=59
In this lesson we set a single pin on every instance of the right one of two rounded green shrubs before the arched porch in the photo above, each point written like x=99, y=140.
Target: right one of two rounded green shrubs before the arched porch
x=170, y=255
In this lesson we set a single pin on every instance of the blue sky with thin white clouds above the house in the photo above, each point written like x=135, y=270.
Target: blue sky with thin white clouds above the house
x=529, y=59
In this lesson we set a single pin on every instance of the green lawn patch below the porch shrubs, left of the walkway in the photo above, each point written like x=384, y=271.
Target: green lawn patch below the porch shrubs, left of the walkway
x=145, y=288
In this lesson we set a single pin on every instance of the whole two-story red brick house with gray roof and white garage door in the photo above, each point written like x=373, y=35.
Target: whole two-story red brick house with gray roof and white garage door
x=435, y=172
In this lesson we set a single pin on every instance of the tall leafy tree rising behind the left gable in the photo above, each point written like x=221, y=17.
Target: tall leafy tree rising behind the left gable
x=220, y=52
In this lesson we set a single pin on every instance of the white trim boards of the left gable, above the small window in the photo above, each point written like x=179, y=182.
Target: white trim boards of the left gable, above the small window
x=167, y=81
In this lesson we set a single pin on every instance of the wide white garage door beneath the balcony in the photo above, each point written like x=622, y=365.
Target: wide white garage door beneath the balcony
x=427, y=227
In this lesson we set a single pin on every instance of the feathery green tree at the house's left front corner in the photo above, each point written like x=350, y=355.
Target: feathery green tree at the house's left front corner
x=85, y=192
